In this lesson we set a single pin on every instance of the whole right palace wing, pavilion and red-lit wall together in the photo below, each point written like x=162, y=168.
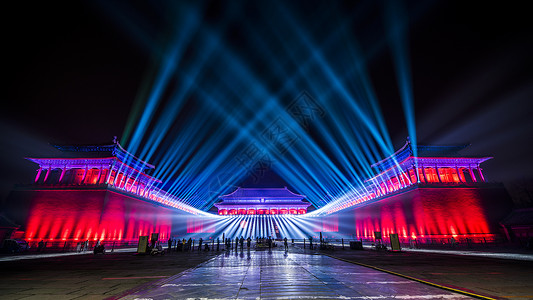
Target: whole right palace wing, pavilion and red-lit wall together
x=425, y=193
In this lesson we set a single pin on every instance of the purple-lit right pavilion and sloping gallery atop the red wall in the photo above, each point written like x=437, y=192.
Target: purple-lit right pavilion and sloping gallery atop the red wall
x=431, y=165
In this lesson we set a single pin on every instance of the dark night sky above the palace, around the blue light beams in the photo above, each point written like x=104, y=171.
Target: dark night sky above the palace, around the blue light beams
x=73, y=70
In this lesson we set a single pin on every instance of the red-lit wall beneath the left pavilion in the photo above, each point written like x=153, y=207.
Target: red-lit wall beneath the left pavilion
x=88, y=214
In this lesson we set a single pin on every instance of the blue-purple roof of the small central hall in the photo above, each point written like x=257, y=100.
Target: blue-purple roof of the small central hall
x=262, y=193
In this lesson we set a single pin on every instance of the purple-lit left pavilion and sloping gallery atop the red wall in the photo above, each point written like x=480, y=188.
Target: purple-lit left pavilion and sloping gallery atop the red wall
x=102, y=165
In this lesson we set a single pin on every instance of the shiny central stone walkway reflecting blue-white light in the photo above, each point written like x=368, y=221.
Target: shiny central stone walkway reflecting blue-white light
x=276, y=274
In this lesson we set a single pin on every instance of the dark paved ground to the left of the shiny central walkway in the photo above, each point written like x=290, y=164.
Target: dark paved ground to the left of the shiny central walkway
x=89, y=276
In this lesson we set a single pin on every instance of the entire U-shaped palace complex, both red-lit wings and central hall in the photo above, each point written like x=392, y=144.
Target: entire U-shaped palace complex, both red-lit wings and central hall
x=102, y=192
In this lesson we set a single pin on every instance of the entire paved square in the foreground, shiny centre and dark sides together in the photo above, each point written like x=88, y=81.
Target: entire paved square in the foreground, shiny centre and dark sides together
x=259, y=274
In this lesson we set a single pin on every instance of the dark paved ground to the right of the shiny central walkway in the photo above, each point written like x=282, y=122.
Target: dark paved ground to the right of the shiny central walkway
x=494, y=277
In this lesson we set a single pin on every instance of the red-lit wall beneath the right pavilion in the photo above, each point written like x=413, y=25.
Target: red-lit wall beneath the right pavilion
x=430, y=212
